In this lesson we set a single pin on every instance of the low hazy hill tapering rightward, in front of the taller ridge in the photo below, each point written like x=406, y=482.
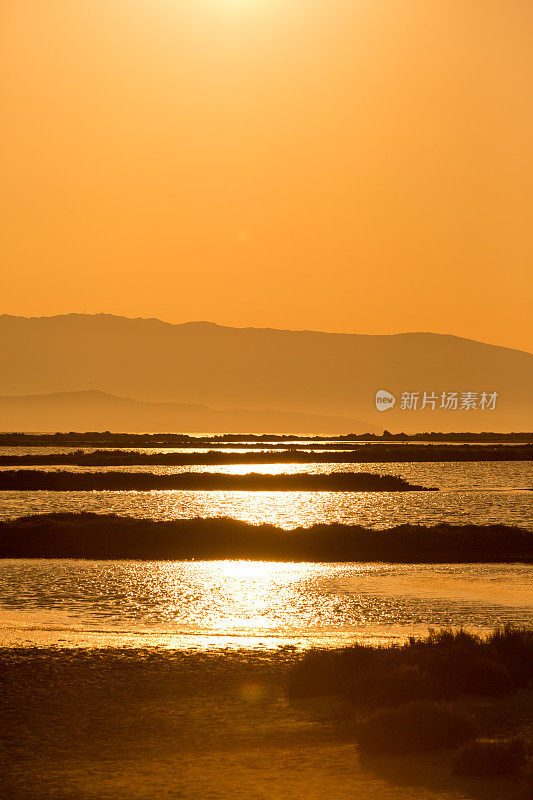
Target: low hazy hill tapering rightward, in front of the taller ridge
x=98, y=411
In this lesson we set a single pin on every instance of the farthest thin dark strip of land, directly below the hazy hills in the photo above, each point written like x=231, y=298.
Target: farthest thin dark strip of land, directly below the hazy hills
x=108, y=439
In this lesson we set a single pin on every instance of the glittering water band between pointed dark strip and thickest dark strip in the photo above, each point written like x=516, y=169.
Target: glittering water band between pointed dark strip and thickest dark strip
x=288, y=509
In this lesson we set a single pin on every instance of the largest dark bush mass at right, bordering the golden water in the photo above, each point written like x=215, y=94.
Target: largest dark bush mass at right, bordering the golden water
x=443, y=666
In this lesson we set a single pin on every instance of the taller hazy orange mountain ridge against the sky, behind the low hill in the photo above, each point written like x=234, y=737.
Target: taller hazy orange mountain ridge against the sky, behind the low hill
x=302, y=372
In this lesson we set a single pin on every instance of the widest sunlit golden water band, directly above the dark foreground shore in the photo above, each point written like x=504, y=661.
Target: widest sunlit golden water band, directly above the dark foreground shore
x=240, y=603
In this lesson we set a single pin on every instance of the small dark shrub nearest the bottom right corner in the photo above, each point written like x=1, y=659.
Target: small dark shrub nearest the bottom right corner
x=490, y=758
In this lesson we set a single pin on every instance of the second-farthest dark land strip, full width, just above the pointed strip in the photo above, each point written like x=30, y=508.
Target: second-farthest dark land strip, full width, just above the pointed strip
x=365, y=453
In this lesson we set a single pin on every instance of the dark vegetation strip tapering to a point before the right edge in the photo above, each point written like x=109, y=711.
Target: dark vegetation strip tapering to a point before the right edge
x=35, y=480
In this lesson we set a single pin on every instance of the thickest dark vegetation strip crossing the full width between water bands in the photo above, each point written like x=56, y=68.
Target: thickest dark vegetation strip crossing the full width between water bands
x=107, y=536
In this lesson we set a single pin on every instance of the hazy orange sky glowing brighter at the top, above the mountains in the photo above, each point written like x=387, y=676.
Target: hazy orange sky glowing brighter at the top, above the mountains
x=344, y=165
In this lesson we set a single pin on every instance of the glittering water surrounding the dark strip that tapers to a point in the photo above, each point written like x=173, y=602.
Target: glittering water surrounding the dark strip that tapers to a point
x=475, y=492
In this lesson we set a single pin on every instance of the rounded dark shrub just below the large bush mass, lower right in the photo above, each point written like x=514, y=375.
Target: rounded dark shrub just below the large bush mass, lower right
x=414, y=728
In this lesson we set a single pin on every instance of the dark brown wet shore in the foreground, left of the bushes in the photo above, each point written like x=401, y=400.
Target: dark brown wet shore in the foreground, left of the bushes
x=139, y=724
